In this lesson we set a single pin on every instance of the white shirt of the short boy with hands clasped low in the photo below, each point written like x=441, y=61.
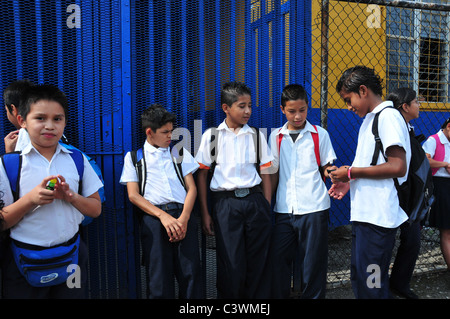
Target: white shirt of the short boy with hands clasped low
x=162, y=185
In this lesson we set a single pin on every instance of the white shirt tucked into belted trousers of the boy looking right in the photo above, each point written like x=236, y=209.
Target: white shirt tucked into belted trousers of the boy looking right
x=235, y=157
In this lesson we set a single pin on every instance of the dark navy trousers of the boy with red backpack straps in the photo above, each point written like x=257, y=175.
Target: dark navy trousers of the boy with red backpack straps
x=304, y=237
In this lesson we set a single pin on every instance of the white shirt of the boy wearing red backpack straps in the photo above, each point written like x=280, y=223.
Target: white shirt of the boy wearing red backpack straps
x=301, y=189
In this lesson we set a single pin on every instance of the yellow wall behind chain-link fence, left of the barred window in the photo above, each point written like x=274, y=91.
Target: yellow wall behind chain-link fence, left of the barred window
x=357, y=36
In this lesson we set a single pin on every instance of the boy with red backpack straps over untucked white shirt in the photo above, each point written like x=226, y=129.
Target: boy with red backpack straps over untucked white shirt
x=302, y=200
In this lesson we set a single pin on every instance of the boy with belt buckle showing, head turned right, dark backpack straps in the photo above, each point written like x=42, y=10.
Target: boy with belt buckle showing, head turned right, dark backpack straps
x=241, y=197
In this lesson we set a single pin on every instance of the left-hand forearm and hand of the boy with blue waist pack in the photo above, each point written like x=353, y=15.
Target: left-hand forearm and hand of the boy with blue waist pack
x=39, y=195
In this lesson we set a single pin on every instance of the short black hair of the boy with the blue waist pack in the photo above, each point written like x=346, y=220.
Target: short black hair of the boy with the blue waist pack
x=41, y=92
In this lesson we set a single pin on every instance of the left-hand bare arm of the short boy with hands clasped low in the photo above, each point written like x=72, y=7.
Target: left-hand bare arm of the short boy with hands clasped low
x=172, y=225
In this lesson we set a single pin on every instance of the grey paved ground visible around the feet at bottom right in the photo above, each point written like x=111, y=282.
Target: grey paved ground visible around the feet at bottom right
x=434, y=285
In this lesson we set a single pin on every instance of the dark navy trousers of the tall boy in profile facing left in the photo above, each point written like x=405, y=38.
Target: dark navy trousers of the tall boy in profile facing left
x=371, y=256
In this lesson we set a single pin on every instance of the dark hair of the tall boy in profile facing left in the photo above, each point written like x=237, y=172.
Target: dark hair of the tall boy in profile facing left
x=354, y=77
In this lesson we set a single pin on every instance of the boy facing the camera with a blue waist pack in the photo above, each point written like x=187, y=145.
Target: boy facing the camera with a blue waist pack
x=43, y=219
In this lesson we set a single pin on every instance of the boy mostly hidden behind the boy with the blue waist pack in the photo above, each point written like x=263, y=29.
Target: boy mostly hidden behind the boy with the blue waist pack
x=12, y=96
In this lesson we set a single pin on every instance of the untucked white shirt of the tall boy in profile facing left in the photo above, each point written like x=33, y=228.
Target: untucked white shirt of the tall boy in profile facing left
x=375, y=201
